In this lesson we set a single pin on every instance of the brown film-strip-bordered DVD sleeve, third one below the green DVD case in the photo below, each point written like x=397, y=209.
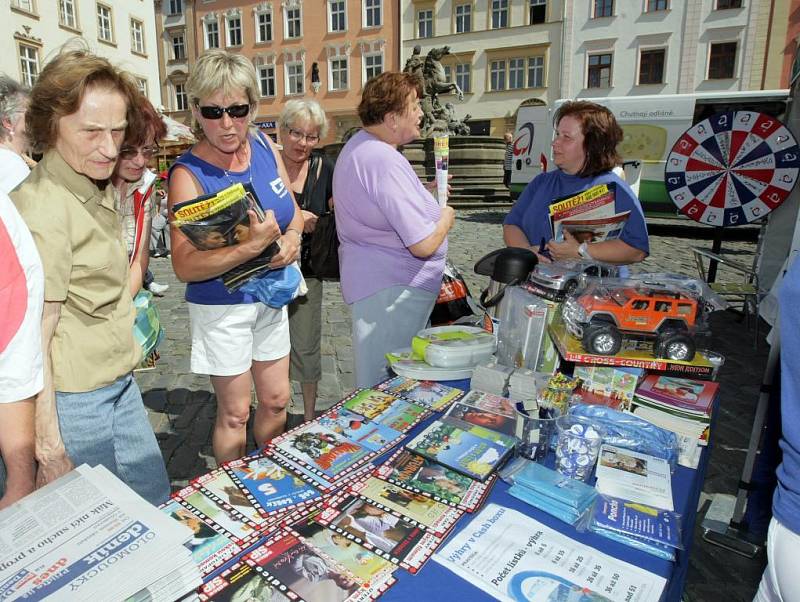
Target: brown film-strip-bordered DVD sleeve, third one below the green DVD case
x=387, y=534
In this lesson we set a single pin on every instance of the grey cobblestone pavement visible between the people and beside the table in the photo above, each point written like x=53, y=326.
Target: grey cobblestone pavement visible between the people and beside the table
x=182, y=407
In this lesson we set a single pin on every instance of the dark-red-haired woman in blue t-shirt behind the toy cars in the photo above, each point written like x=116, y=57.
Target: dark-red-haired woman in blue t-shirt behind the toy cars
x=585, y=152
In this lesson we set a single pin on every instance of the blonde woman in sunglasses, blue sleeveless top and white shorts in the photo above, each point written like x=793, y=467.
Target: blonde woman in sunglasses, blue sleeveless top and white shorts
x=236, y=340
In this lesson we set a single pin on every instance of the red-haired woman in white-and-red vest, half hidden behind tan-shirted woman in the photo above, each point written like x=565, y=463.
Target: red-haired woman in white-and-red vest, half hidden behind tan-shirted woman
x=135, y=184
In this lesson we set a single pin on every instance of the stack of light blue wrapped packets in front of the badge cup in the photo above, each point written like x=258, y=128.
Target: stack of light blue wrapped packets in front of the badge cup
x=565, y=498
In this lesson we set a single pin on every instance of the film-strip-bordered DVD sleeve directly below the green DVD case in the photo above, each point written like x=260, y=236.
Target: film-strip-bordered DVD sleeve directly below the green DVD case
x=438, y=482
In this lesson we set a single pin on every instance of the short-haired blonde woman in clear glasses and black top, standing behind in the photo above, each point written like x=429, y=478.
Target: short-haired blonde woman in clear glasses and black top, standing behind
x=302, y=124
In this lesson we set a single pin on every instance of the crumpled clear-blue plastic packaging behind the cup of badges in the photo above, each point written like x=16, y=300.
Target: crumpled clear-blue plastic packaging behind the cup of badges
x=626, y=430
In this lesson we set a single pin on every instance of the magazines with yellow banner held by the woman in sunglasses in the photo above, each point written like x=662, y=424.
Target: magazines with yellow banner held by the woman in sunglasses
x=212, y=221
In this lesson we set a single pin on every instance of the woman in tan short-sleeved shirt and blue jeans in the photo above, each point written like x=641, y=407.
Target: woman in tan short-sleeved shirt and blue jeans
x=90, y=410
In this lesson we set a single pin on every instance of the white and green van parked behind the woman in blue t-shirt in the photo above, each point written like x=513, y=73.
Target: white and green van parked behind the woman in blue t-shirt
x=652, y=125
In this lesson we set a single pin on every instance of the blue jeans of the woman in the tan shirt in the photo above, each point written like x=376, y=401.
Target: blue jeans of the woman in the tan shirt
x=109, y=426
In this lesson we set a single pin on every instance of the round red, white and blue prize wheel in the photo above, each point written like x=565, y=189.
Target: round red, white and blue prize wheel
x=732, y=168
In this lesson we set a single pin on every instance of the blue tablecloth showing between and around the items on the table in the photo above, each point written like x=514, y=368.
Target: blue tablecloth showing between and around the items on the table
x=435, y=582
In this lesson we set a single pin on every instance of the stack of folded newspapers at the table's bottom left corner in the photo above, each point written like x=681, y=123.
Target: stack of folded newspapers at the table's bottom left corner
x=88, y=536
